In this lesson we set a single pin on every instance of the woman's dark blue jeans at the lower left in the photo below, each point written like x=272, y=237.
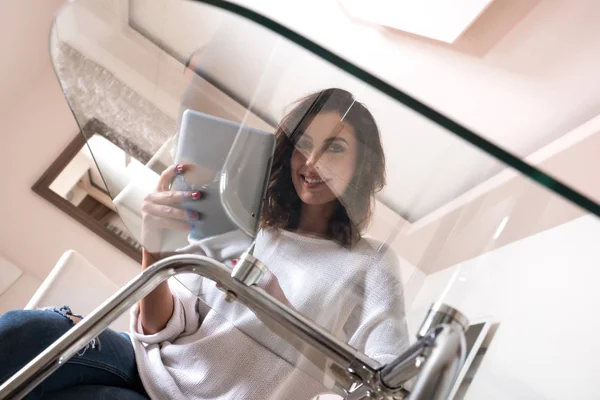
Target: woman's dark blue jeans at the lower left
x=104, y=369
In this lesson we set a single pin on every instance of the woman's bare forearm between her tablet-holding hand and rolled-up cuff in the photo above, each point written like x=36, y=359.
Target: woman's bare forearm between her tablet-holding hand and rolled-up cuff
x=156, y=308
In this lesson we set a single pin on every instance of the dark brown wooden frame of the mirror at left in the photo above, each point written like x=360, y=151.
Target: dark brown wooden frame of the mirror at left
x=42, y=186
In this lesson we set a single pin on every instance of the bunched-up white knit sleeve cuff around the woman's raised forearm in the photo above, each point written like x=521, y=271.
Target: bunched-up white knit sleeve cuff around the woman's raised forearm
x=185, y=320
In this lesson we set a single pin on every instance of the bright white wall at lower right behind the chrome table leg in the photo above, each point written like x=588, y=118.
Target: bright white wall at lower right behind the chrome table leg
x=543, y=292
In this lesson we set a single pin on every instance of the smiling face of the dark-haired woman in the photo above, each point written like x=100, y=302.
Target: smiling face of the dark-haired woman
x=324, y=159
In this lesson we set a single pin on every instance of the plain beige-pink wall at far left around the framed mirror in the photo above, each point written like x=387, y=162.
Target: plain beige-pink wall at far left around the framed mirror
x=34, y=130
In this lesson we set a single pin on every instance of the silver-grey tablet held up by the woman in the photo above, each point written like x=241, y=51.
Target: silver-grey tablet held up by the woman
x=231, y=167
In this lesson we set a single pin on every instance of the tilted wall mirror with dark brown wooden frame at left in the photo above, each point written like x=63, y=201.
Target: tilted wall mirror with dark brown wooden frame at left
x=74, y=184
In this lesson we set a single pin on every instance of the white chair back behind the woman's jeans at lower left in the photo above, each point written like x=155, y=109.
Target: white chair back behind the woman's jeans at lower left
x=75, y=282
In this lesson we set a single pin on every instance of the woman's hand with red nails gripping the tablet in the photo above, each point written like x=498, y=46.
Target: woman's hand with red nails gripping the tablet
x=162, y=209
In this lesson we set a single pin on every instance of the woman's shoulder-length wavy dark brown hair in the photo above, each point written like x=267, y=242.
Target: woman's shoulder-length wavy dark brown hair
x=282, y=205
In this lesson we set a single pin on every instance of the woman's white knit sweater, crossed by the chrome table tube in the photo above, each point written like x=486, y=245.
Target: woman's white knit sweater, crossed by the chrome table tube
x=211, y=349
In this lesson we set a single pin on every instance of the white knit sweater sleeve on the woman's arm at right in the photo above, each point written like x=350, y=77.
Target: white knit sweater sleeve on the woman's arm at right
x=379, y=322
